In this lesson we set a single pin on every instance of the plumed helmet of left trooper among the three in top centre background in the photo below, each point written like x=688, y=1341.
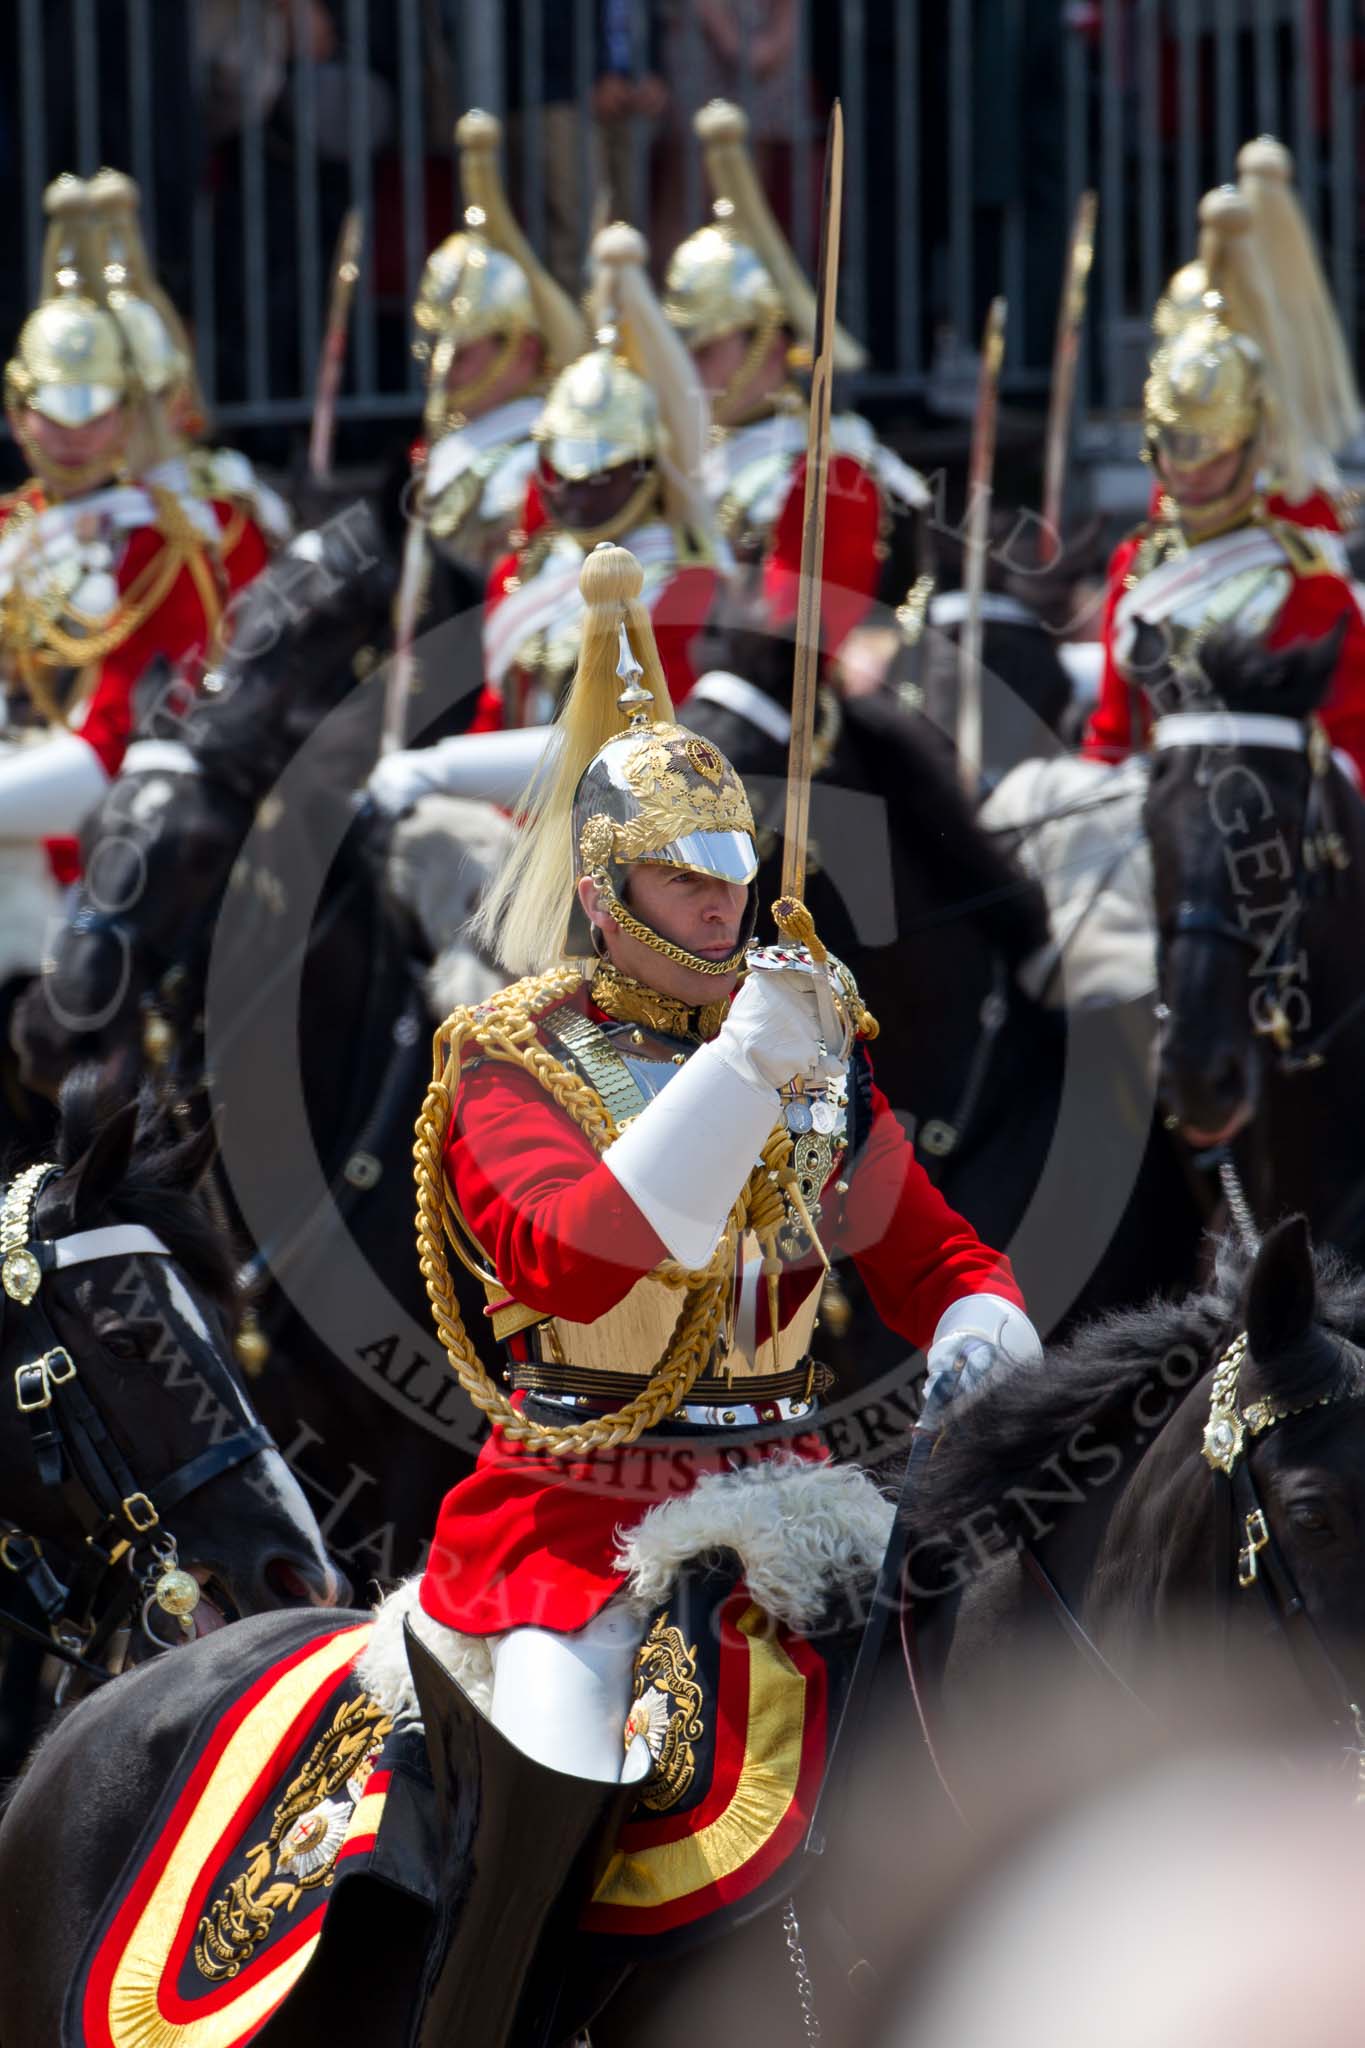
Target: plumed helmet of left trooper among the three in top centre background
x=486, y=282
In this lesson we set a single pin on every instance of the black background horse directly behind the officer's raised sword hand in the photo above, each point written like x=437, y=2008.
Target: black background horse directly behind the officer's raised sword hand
x=1034, y=1123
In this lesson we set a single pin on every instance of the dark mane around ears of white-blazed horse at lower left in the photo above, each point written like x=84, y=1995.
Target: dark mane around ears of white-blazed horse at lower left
x=157, y=1189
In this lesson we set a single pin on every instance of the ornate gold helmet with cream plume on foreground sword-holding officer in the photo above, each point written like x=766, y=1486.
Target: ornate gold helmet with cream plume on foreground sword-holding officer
x=650, y=794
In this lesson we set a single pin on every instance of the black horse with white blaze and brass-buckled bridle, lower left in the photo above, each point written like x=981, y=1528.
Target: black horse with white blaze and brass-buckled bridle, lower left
x=130, y=1443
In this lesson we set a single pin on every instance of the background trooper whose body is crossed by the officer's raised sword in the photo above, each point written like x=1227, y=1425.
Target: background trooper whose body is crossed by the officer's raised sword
x=746, y=312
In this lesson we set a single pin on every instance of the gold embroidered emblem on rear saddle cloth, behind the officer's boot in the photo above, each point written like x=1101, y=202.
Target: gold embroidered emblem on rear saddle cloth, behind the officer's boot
x=302, y=1848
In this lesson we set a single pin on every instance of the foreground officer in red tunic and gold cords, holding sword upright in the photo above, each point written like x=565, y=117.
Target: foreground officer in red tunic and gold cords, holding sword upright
x=635, y=1148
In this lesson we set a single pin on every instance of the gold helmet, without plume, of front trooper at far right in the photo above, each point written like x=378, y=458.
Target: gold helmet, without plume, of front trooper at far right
x=1204, y=394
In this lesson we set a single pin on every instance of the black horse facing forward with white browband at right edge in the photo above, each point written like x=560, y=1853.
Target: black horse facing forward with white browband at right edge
x=1260, y=880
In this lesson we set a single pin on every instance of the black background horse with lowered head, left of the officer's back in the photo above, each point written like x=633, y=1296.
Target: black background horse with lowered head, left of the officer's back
x=236, y=849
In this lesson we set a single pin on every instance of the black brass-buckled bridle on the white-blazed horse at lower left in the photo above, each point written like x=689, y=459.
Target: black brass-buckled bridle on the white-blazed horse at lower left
x=79, y=1457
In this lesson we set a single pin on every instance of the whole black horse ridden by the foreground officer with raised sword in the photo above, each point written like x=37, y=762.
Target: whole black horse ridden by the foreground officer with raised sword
x=1096, y=1461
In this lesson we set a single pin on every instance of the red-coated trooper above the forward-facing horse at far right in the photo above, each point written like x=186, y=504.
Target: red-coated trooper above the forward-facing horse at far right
x=1241, y=443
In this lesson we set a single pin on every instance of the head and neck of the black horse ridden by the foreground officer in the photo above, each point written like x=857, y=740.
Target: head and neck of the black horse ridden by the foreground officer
x=1182, y=1474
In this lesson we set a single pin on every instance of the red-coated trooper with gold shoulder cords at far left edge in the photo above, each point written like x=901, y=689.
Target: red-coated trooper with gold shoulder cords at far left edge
x=109, y=560
